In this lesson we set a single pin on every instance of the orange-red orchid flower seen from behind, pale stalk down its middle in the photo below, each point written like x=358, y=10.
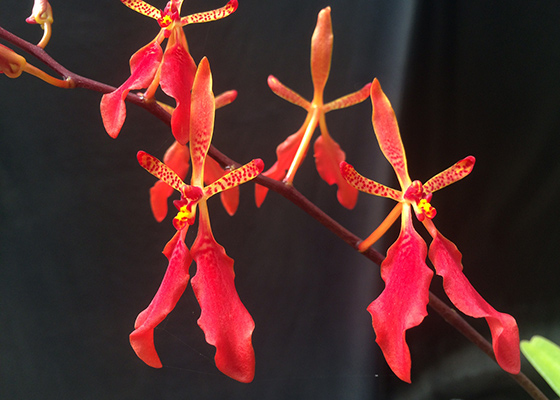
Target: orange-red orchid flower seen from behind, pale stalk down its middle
x=328, y=154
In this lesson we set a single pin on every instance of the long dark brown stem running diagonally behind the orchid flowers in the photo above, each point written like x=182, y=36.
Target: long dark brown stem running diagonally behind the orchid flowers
x=285, y=190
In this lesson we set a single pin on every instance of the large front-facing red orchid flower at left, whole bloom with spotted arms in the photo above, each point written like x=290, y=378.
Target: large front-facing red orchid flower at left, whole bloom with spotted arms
x=226, y=323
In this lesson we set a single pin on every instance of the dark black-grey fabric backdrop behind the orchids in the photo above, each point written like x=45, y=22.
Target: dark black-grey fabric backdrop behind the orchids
x=80, y=254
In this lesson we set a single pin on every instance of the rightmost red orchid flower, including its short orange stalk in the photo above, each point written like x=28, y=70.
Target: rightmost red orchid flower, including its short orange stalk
x=402, y=304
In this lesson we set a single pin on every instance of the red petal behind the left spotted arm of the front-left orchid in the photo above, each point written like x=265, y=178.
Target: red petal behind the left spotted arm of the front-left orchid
x=177, y=158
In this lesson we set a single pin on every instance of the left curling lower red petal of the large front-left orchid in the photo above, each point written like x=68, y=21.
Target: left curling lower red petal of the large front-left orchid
x=171, y=289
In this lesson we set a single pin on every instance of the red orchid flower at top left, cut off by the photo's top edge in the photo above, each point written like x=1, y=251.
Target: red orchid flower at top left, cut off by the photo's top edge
x=150, y=67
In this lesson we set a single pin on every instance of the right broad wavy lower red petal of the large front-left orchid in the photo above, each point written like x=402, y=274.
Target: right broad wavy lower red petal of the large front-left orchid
x=225, y=321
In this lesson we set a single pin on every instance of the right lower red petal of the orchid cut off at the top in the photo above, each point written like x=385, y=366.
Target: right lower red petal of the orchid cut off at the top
x=177, y=75
